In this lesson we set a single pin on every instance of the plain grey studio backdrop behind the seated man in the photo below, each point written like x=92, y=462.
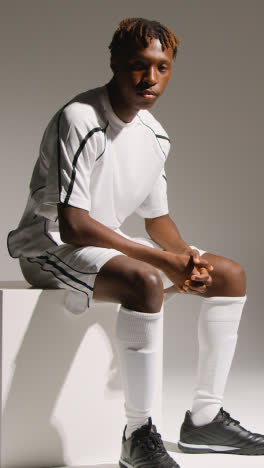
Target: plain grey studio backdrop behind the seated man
x=212, y=110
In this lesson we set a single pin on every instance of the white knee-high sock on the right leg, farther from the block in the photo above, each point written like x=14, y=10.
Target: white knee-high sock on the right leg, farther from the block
x=217, y=335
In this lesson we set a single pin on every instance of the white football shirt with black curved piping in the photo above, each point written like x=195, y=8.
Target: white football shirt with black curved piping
x=91, y=159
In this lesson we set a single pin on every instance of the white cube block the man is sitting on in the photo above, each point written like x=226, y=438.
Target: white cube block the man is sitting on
x=62, y=399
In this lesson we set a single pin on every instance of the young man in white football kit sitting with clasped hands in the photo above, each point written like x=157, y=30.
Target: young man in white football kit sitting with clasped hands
x=102, y=158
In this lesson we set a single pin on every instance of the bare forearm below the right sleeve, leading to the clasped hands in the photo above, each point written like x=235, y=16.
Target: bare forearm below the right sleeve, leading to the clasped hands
x=164, y=232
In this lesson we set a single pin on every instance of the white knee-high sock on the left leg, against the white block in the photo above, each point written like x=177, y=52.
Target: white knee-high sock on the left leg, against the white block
x=138, y=338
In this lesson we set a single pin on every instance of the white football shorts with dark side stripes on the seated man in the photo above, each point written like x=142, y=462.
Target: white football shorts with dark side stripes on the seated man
x=69, y=267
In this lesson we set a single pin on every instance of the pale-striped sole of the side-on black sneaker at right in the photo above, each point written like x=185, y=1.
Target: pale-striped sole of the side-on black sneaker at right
x=191, y=448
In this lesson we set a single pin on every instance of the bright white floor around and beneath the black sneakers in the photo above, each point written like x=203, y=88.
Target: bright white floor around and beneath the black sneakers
x=244, y=402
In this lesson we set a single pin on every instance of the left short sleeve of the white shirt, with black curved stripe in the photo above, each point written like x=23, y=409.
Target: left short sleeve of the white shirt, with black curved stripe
x=72, y=148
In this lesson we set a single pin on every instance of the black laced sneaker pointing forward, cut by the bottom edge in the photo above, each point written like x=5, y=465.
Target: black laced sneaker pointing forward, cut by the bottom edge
x=144, y=448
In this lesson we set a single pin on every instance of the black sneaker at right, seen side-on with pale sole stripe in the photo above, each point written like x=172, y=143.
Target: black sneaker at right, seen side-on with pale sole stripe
x=223, y=435
